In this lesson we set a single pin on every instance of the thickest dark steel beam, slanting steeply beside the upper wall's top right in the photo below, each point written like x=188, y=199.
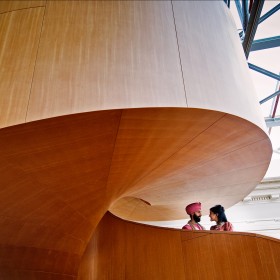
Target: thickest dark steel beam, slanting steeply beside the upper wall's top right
x=252, y=26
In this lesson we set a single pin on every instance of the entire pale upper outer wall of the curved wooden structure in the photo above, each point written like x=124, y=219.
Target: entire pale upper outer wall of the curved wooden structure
x=64, y=57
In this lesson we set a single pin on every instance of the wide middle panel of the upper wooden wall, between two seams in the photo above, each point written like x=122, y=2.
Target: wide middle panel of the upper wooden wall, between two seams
x=106, y=54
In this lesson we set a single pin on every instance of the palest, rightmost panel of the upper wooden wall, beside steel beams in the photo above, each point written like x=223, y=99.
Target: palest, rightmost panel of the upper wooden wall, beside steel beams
x=215, y=72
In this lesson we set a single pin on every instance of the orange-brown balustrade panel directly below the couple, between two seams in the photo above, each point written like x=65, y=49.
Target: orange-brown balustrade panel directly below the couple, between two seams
x=223, y=256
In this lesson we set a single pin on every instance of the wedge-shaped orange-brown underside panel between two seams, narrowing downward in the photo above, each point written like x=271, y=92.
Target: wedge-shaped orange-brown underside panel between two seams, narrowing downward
x=146, y=141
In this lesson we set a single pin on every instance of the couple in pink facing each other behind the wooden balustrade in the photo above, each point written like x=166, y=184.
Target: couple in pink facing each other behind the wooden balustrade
x=217, y=214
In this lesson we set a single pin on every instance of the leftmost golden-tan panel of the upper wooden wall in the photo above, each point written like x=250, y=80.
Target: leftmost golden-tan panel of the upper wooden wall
x=19, y=33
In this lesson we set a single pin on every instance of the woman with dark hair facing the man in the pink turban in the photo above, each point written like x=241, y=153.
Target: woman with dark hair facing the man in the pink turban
x=217, y=214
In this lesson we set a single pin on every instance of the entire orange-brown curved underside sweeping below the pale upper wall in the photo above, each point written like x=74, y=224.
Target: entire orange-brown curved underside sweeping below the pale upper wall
x=61, y=175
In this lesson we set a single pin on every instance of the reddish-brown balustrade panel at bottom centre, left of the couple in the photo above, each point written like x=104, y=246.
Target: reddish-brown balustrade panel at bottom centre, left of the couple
x=158, y=253
